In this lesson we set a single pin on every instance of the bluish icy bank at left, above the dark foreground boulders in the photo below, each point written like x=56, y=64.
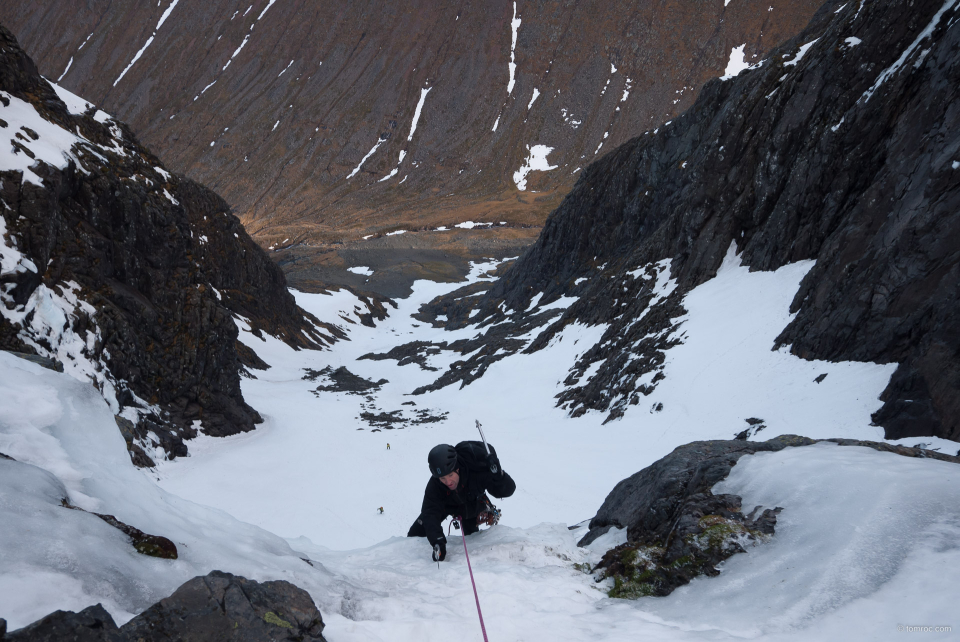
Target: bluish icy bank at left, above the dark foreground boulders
x=66, y=446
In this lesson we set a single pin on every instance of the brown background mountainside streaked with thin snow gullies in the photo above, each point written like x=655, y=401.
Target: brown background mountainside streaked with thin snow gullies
x=296, y=112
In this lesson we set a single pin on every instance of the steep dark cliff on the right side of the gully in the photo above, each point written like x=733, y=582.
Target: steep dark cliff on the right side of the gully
x=843, y=146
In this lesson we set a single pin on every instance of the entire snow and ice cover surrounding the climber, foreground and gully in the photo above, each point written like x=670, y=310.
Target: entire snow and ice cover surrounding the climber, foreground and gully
x=861, y=545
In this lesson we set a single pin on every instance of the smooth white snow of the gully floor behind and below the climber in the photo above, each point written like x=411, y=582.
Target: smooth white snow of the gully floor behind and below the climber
x=723, y=374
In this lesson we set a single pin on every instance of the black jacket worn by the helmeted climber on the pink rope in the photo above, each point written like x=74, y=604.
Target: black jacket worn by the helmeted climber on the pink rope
x=439, y=502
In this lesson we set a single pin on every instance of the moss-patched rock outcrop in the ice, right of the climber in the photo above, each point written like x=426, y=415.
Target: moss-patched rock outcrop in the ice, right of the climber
x=677, y=529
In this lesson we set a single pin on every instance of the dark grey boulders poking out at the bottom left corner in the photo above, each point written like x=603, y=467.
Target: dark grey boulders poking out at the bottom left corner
x=219, y=606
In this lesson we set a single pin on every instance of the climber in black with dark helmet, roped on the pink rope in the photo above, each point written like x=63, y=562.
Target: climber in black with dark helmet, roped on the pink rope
x=460, y=478
